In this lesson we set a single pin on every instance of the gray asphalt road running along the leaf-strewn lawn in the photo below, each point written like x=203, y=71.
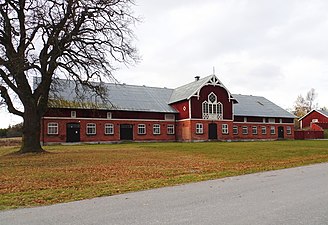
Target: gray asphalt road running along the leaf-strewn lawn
x=290, y=196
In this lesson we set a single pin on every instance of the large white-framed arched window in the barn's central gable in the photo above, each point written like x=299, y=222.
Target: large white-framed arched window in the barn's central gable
x=212, y=109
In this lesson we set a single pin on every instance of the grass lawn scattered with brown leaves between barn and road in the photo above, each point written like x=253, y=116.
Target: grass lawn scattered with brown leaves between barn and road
x=69, y=173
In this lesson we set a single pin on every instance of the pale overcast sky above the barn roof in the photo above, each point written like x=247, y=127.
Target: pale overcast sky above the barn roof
x=276, y=49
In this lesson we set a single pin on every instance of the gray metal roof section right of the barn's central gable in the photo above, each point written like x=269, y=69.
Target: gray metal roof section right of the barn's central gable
x=249, y=105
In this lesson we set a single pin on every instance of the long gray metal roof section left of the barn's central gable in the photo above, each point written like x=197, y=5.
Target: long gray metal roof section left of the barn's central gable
x=118, y=97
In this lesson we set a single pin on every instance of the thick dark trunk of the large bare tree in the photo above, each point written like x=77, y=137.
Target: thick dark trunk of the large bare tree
x=31, y=132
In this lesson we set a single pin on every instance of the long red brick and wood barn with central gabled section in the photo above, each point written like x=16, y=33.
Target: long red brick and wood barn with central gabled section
x=199, y=111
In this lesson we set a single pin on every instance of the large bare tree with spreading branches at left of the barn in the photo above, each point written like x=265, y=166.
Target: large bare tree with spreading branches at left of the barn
x=82, y=39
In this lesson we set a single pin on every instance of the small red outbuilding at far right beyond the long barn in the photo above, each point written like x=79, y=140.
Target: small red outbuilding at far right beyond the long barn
x=318, y=117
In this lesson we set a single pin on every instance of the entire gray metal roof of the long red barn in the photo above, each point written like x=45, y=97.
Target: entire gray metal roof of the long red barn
x=65, y=94
